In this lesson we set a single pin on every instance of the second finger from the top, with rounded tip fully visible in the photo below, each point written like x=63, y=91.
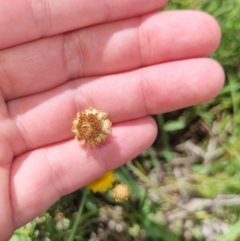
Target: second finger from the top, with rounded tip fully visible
x=105, y=49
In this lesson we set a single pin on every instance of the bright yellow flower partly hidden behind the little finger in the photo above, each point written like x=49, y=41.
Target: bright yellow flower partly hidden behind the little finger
x=103, y=183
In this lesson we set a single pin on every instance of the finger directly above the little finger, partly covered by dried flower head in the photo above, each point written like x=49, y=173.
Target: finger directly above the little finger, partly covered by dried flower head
x=46, y=118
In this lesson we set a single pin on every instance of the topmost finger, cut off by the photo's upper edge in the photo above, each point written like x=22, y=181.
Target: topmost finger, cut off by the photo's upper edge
x=37, y=19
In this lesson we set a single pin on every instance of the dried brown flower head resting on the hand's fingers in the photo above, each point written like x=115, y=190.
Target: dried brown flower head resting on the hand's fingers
x=91, y=127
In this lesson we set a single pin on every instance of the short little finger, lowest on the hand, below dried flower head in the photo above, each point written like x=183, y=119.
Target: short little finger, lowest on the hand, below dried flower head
x=41, y=177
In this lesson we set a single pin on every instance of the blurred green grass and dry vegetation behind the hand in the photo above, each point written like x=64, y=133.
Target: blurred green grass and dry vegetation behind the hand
x=186, y=186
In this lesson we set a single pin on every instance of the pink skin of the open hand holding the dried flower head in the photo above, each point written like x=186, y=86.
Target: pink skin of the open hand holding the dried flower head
x=61, y=57
